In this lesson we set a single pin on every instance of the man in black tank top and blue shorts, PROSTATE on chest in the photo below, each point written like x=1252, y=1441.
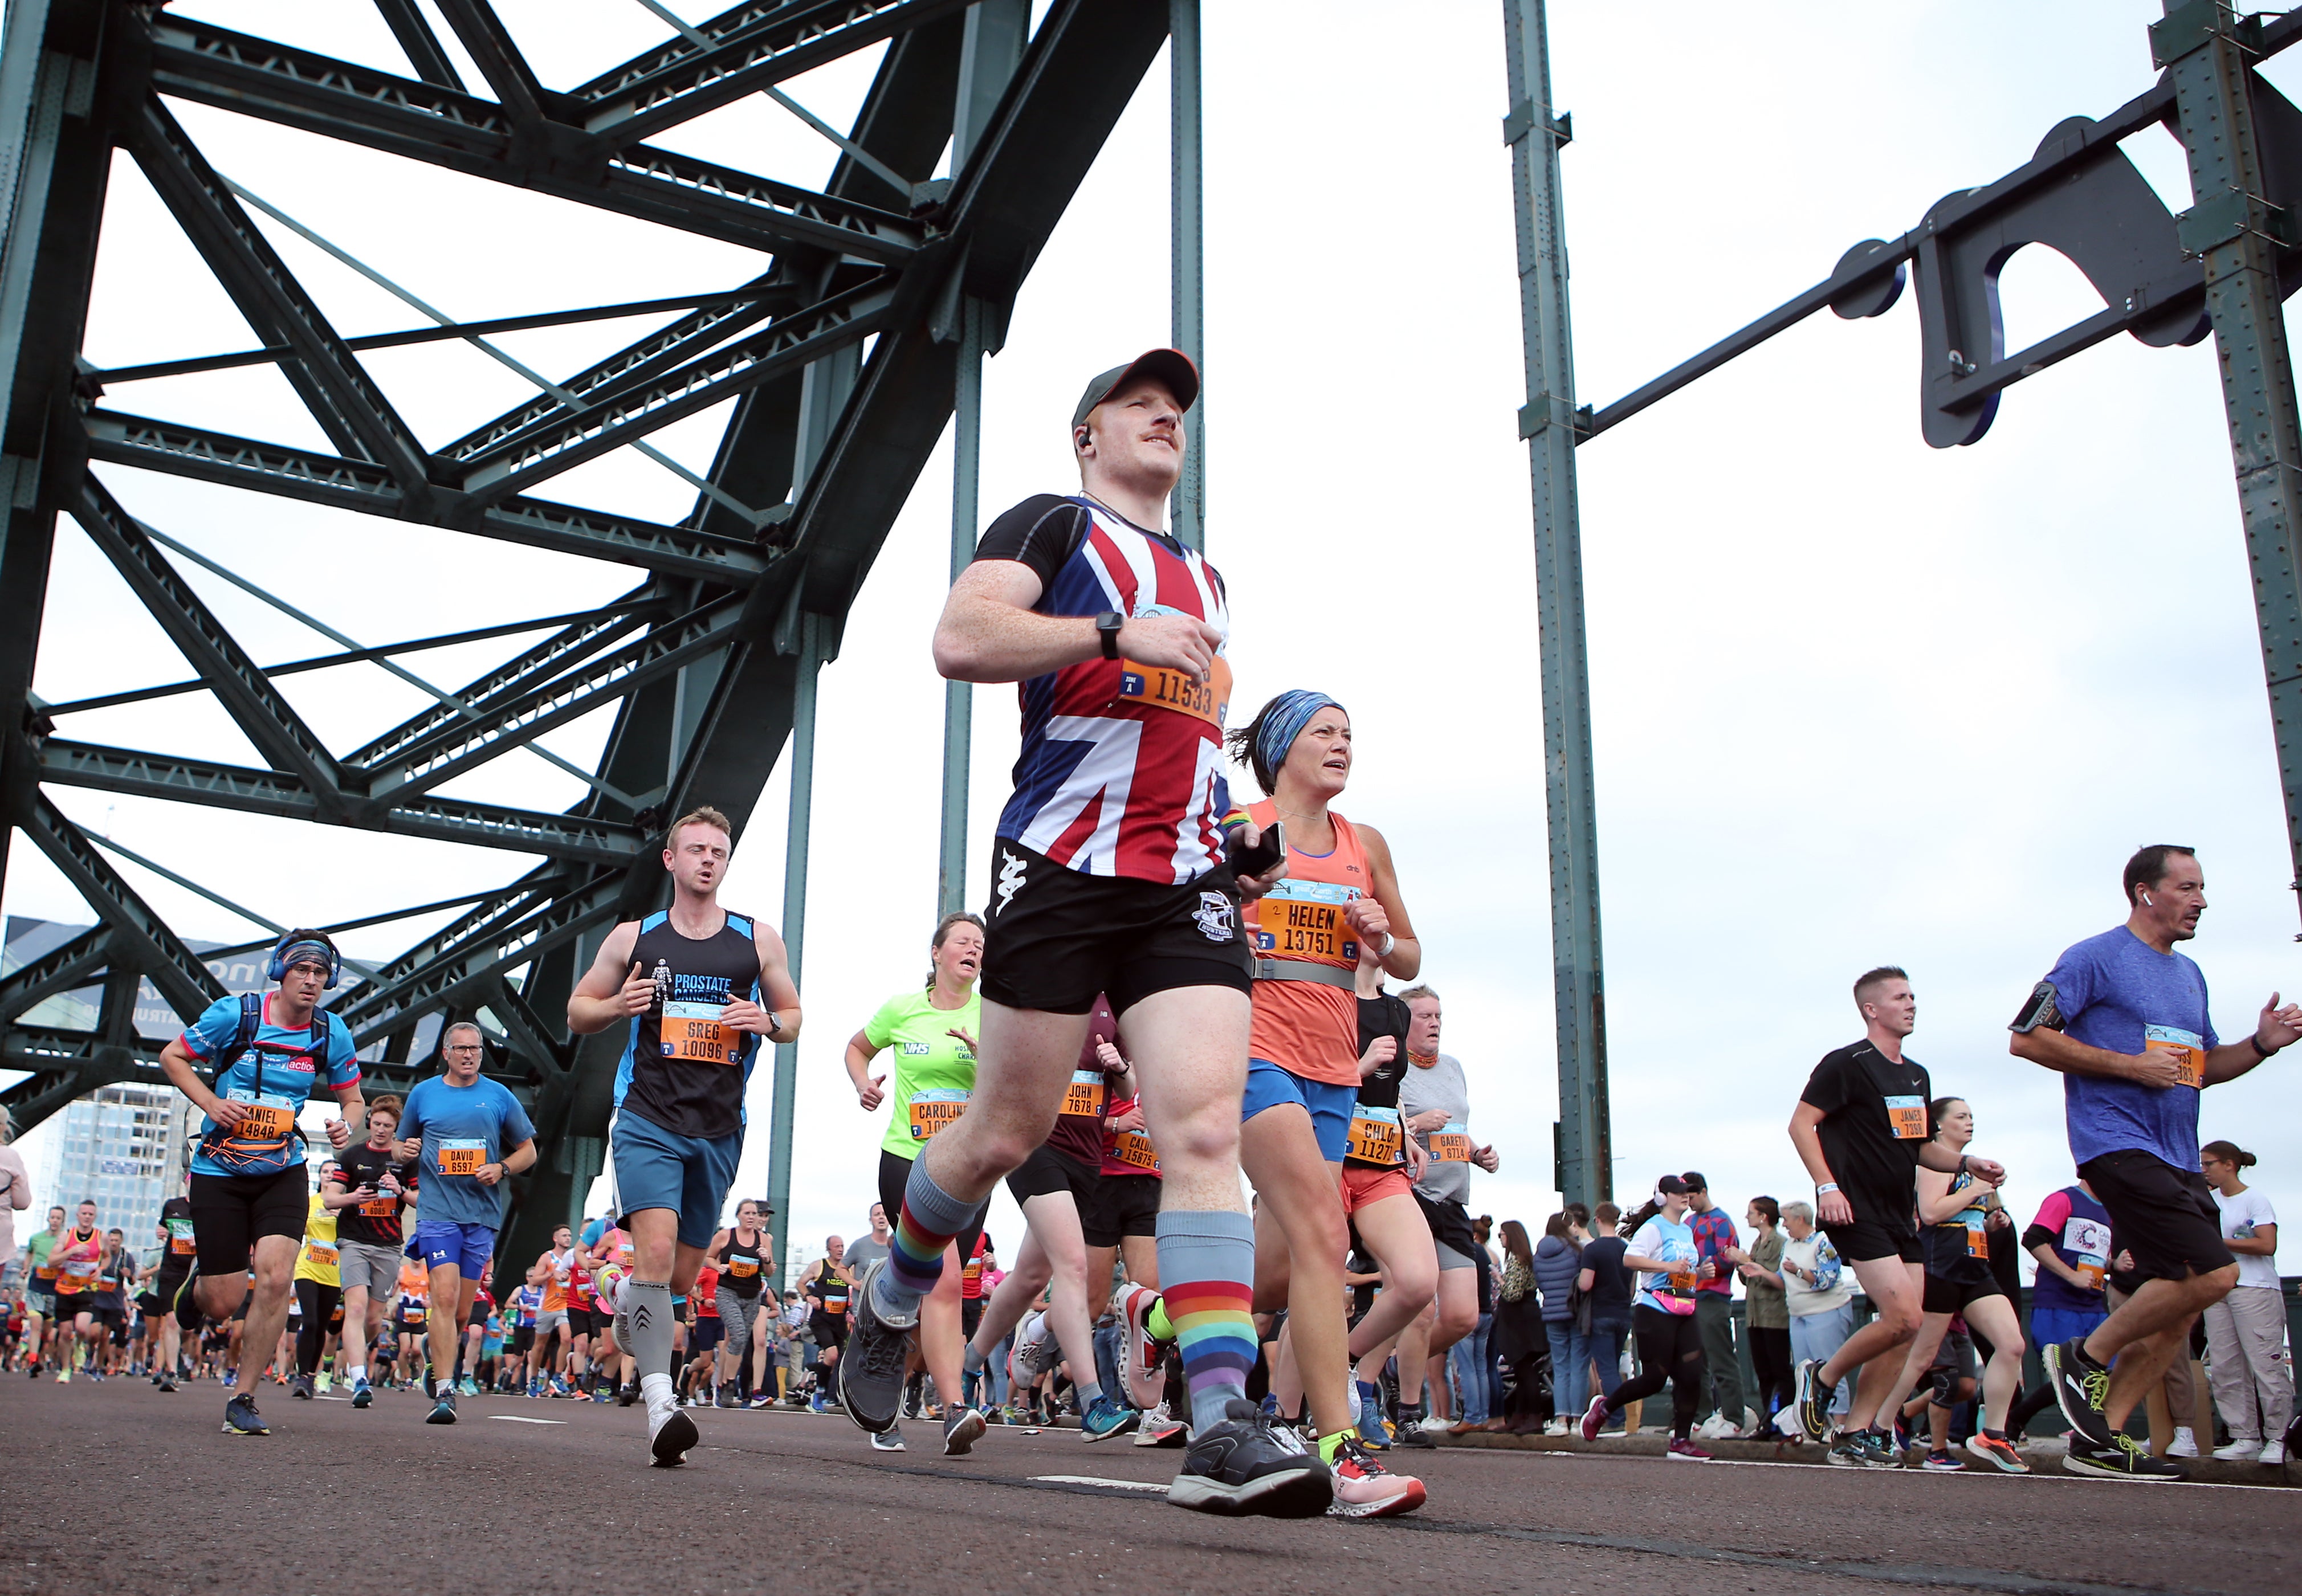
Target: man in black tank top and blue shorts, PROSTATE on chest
x=699, y=989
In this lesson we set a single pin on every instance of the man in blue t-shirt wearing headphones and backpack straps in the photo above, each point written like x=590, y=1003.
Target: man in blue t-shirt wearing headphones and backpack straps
x=250, y=1190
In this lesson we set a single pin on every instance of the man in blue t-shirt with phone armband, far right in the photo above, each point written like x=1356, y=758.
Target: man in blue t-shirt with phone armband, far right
x=2126, y=1024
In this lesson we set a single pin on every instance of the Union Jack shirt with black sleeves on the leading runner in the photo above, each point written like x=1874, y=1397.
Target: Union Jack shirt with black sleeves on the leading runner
x=1122, y=763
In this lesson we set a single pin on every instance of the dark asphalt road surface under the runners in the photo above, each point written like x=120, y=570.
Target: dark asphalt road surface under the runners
x=125, y=1491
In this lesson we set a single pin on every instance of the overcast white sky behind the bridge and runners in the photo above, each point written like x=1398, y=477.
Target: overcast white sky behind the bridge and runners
x=1857, y=701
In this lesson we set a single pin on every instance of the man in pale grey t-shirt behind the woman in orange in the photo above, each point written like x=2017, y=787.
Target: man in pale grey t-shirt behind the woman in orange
x=1435, y=1107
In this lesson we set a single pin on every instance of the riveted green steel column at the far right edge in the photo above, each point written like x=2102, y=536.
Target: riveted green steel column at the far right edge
x=2236, y=229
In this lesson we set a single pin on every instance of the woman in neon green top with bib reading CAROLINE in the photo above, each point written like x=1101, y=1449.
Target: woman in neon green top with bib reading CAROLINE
x=933, y=1035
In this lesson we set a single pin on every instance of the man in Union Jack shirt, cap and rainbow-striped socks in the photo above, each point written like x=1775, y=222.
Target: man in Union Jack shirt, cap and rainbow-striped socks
x=1108, y=876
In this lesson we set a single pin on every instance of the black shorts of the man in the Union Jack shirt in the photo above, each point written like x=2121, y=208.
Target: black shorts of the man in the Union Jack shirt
x=1058, y=938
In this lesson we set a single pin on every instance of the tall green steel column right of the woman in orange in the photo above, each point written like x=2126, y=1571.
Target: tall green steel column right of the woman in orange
x=1548, y=427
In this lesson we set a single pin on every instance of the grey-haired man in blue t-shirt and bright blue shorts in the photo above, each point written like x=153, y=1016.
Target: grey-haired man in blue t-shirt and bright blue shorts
x=471, y=1134
